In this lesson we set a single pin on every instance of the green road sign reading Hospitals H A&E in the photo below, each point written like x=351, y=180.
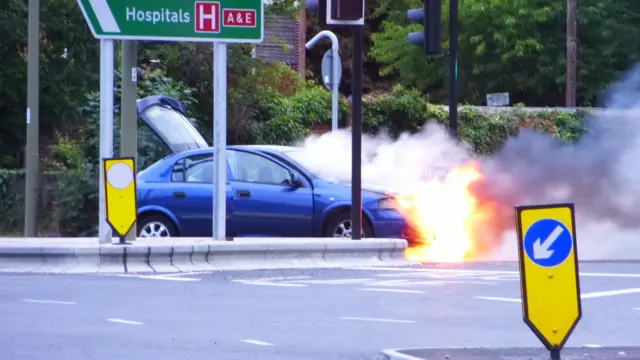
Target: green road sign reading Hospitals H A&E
x=235, y=21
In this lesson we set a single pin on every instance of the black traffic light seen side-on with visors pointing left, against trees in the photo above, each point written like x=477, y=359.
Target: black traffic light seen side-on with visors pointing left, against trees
x=430, y=17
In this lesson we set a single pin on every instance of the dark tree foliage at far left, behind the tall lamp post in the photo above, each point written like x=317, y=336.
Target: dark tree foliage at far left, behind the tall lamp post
x=69, y=61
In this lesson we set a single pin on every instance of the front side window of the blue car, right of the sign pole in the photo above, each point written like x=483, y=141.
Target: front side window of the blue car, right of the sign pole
x=254, y=168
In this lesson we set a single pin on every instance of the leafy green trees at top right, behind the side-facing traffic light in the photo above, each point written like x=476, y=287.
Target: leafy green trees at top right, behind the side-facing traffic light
x=516, y=47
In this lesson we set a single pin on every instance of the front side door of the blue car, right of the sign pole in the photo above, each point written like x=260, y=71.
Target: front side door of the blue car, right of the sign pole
x=263, y=199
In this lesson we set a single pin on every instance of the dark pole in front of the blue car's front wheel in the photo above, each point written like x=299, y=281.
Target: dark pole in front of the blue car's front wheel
x=356, y=135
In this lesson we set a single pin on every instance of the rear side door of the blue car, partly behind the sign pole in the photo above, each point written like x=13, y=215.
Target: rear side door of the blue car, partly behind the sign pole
x=192, y=193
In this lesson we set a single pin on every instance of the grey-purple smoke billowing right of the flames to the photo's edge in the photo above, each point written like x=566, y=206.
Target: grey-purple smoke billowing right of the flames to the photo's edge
x=600, y=173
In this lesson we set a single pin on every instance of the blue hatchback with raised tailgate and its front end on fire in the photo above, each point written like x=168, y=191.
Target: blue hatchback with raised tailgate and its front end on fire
x=269, y=192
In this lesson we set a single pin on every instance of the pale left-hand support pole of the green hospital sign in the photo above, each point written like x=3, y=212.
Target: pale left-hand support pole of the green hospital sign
x=106, y=129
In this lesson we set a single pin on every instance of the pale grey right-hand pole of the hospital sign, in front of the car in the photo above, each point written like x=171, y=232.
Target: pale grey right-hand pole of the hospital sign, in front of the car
x=219, y=140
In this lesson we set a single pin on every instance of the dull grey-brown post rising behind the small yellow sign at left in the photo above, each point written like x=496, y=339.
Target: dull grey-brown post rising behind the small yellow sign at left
x=129, y=112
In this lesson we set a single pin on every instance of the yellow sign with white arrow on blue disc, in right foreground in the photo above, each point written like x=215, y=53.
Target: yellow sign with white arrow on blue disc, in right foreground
x=549, y=280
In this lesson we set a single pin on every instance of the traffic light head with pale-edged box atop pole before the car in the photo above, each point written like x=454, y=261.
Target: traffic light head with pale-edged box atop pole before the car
x=337, y=12
